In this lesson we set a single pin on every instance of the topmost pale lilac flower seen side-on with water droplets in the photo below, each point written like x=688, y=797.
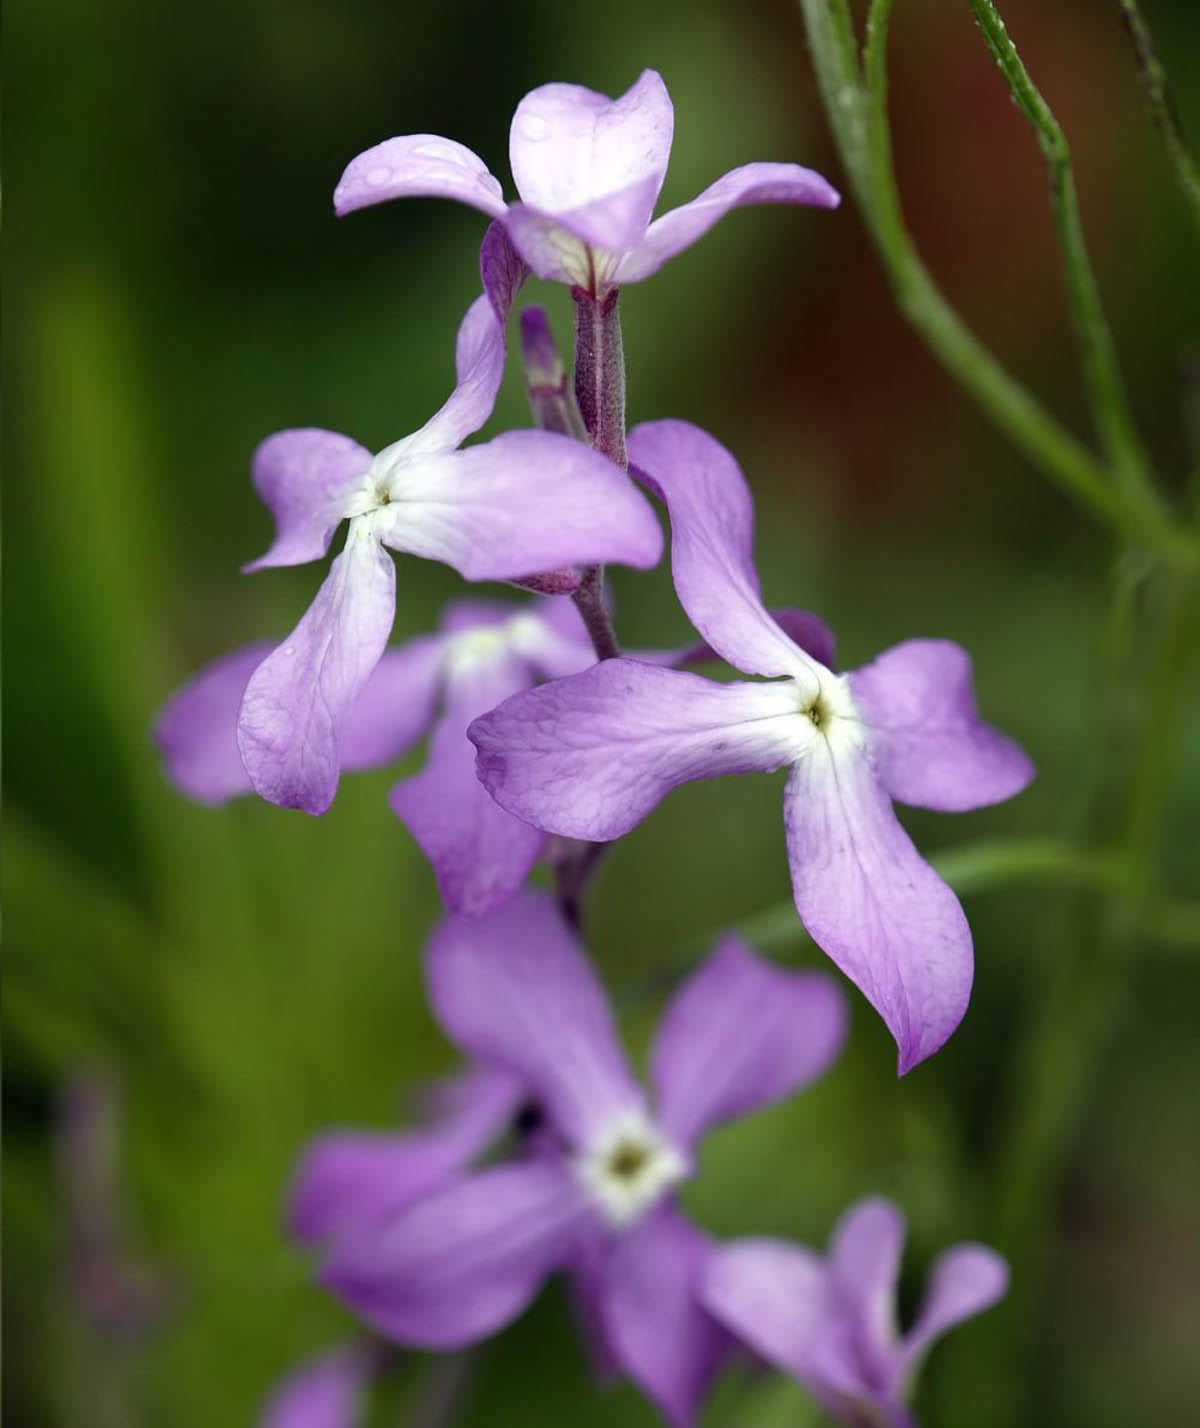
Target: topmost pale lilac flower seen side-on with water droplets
x=589, y=171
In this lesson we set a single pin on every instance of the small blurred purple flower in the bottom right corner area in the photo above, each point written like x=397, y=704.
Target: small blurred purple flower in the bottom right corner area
x=832, y=1323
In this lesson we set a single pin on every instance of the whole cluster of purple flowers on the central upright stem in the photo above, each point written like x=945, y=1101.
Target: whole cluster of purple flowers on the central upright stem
x=545, y=1156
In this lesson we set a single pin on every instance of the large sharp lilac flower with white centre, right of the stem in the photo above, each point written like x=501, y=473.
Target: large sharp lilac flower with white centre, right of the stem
x=591, y=756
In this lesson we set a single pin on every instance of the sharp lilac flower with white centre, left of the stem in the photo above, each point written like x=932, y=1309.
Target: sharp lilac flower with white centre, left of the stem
x=515, y=506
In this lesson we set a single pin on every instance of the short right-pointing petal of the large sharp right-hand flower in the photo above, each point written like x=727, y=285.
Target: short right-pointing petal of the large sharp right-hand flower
x=931, y=746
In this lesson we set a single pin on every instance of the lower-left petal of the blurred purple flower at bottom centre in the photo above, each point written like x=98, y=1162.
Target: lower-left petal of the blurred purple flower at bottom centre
x=466, y=1260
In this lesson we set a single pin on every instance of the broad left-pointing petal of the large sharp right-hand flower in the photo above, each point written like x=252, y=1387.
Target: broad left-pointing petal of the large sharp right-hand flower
x=591, y=756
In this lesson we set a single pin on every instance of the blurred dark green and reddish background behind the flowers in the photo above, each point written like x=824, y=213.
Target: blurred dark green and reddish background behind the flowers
x=194, y=993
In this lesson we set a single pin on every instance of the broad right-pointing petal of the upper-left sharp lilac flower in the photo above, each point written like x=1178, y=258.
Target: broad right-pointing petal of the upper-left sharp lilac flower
x=526, y=502
